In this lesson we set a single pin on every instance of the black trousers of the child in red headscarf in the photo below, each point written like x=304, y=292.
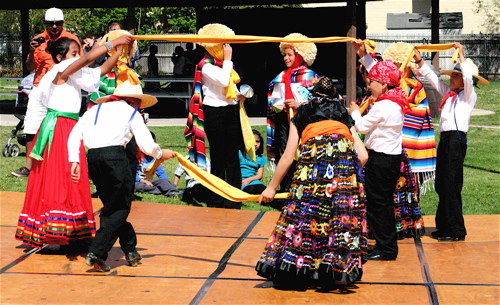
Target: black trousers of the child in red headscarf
x=381, y=176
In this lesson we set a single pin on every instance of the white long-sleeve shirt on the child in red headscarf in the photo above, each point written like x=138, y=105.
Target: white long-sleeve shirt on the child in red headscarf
x=383, y=126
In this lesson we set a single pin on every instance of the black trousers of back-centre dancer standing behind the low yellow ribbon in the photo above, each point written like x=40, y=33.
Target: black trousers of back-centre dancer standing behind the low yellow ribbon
x=223, y=130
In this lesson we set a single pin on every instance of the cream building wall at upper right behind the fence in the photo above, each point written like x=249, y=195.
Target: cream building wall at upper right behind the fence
x=376, y=13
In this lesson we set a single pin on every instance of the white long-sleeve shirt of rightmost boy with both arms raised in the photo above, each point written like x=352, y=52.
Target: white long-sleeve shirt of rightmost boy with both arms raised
x=454, y=116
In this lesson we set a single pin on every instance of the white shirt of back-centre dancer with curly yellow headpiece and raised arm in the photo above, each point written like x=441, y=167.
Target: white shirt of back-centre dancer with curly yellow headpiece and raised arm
x=214, y=81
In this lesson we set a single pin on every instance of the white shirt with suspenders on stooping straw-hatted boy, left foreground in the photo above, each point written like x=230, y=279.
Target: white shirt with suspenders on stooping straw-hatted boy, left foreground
x=113, y=127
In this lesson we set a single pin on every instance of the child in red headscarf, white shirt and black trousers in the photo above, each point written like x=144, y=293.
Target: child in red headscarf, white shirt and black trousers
x=383, y=127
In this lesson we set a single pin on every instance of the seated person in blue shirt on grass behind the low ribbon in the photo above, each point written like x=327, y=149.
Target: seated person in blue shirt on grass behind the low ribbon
x=252, y=171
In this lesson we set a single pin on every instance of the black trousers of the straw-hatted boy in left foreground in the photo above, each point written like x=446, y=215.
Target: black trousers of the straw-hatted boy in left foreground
x=110, y=170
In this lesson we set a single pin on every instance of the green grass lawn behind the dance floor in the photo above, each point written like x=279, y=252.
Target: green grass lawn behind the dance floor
x=481, y=170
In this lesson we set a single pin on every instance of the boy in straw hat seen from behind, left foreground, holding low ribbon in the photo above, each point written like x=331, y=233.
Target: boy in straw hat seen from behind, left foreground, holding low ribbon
x=105, y=130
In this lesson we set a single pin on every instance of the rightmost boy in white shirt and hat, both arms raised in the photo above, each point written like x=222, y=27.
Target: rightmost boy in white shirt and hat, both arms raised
x=456, y=107
